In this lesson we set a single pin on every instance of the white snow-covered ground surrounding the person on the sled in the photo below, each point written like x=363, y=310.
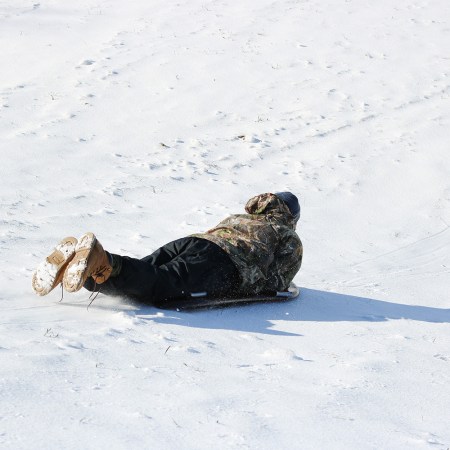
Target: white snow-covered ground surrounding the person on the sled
x=149, y=120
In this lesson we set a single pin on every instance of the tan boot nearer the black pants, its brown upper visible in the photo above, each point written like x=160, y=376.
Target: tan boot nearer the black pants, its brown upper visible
x=90, y=260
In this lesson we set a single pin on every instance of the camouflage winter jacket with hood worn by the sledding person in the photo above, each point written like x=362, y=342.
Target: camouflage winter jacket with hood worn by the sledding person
x=262, y=244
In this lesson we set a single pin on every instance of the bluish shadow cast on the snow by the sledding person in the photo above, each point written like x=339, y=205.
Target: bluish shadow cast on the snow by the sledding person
x=312, y=305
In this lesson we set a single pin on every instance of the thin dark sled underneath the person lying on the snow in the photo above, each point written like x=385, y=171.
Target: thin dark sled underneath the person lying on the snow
x=200, y=300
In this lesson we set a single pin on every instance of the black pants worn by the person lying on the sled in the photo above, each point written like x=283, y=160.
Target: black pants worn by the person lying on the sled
x=174, y=271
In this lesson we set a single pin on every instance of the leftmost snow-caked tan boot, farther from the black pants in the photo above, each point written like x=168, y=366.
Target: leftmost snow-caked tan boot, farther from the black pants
x=50, y=272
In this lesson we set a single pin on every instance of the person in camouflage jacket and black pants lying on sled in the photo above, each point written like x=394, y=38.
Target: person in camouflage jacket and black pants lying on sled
x=245, y=254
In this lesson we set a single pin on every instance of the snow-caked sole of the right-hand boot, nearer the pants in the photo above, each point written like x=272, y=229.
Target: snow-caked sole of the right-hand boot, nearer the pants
x=75, y=273
